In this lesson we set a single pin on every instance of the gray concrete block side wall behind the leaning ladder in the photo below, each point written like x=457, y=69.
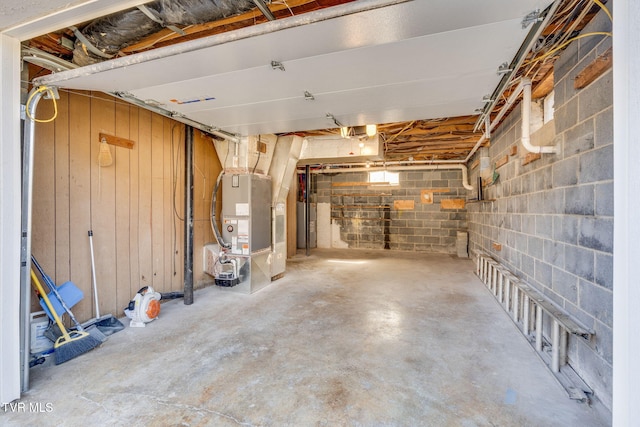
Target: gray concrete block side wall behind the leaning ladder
x=554, y=216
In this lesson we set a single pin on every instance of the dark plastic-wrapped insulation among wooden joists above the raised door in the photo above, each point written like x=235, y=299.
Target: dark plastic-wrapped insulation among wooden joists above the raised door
x=114, y=32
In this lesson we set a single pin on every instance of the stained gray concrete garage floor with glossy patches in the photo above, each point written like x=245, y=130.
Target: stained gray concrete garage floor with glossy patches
x=362, y=338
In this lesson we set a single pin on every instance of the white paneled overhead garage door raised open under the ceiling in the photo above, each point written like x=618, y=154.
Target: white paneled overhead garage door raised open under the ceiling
x=412, y=60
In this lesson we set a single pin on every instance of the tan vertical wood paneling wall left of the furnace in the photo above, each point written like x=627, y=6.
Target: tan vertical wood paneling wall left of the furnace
x=135, y=207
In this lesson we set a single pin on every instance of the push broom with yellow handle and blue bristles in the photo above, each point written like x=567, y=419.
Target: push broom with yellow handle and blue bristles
x=70, y=344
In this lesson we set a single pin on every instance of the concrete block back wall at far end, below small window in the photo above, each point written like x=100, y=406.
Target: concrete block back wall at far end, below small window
x=368, y=219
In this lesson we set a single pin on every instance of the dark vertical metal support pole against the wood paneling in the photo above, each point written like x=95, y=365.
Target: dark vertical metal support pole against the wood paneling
x=188, y=217
